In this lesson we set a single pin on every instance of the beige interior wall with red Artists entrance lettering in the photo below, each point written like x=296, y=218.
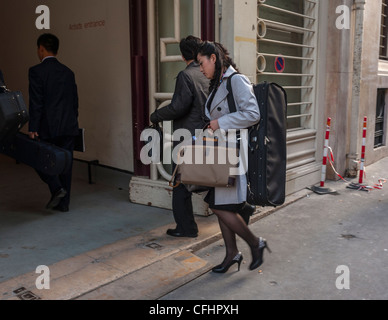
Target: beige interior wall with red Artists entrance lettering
x=99, y=56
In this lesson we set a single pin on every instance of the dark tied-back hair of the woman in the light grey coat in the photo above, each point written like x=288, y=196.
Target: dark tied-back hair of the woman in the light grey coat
x=223, y=60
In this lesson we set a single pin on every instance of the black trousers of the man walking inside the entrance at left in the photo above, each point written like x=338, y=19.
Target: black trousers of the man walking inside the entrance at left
x=64, y=180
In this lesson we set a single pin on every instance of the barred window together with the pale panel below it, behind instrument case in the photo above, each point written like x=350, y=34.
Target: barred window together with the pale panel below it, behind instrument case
x=287, y=31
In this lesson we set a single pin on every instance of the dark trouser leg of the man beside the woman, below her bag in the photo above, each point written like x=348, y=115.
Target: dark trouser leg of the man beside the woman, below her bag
x=182, y=208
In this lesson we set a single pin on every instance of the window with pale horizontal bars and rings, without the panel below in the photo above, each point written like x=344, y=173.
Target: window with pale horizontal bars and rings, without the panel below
x=287, y=29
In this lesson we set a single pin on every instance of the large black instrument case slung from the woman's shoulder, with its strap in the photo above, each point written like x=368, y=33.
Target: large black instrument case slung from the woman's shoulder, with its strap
x=267, y=146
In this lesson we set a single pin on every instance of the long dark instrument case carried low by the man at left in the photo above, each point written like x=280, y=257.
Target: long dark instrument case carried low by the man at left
x=42, y=156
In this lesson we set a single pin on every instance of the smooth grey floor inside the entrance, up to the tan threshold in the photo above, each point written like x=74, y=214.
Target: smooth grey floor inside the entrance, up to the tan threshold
x=100, y=214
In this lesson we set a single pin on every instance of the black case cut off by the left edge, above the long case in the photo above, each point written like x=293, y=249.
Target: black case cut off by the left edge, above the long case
x=13, y=113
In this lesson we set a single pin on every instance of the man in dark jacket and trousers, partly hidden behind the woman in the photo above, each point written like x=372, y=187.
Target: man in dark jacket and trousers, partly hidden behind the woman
x=187, y=112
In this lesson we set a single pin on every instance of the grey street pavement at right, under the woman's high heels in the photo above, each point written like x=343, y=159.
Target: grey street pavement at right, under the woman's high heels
x=310, y=239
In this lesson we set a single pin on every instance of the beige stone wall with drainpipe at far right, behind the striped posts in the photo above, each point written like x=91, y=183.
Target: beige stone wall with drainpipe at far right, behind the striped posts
x=352, y=85
